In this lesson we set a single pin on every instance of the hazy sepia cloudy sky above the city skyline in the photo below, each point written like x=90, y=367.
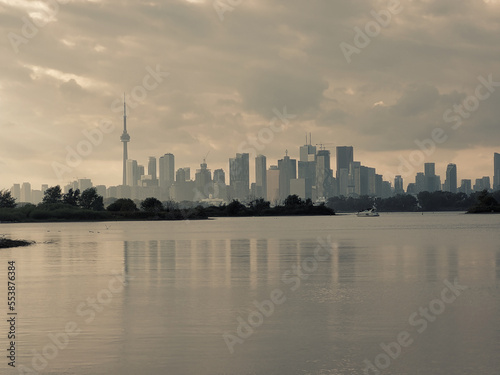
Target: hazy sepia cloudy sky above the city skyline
x=403, y=82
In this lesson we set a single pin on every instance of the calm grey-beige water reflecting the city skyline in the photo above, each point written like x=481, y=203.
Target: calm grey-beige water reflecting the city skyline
x=162, y=297
